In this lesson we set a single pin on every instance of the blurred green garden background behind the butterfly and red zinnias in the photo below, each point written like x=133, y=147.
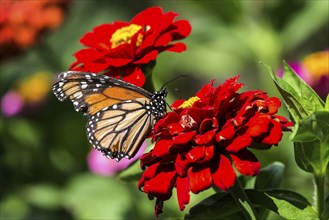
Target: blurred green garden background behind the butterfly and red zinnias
x=48, y=170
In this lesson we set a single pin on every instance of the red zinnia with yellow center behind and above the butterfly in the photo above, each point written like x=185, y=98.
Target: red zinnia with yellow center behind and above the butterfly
x=121, y=49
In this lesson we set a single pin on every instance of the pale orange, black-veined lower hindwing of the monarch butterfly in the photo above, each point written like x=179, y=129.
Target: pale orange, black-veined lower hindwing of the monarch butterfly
x=117, y=140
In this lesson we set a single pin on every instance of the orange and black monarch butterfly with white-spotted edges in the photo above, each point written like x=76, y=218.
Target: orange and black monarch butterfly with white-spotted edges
x=121, y=114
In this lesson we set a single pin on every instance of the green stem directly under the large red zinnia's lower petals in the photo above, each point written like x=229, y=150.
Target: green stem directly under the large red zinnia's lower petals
x=242, y=200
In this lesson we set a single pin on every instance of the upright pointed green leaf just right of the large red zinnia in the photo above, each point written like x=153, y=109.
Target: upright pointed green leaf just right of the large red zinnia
x=300, y=98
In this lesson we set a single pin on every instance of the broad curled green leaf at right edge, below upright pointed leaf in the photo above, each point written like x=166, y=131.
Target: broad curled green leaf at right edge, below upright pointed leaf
x=311, y=136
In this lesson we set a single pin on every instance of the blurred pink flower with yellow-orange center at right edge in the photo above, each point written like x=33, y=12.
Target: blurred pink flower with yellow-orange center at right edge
x=314, y=70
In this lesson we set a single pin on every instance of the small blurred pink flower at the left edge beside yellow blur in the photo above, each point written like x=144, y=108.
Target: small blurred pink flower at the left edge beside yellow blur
x=11, y=104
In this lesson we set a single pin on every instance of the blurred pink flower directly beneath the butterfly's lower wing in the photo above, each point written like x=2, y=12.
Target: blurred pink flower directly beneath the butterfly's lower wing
x=101, y=165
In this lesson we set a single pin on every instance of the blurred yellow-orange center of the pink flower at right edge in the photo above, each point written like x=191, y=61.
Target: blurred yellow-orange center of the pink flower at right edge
x=317, y=63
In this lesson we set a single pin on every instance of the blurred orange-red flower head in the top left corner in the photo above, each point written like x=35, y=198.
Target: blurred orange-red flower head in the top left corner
x=21, y=23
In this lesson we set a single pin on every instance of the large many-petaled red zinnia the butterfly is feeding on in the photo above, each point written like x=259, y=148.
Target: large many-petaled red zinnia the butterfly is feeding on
x=199, y=142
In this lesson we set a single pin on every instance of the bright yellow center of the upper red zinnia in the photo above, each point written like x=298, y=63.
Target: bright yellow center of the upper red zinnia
x=124, y=35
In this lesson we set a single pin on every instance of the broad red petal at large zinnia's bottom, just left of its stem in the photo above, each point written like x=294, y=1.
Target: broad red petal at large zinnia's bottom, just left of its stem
x=224, y=177
